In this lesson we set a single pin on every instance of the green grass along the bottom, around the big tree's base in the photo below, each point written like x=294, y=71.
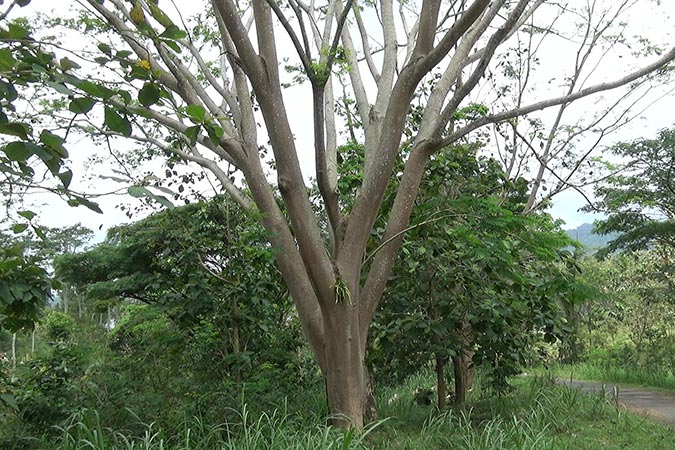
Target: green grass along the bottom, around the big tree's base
x=536, y=416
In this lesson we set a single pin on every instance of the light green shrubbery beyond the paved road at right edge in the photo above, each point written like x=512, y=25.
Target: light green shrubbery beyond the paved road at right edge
x=626, y=326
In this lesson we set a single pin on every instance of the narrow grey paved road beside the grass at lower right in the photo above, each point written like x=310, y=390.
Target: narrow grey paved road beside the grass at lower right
x=657, y=404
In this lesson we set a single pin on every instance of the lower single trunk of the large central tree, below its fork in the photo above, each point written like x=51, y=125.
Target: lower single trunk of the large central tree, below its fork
x=345, y=369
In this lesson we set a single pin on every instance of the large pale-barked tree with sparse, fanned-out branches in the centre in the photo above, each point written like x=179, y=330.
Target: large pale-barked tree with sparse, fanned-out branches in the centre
x=200, y=95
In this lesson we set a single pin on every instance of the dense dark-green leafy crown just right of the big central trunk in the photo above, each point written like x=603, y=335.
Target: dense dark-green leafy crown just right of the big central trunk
x=475, y=275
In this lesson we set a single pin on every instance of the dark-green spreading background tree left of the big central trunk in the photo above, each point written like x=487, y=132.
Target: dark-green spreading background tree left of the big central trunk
x=204, y=265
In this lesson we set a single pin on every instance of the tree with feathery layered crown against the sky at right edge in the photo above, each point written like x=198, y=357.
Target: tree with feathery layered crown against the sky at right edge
x=639, y=194
